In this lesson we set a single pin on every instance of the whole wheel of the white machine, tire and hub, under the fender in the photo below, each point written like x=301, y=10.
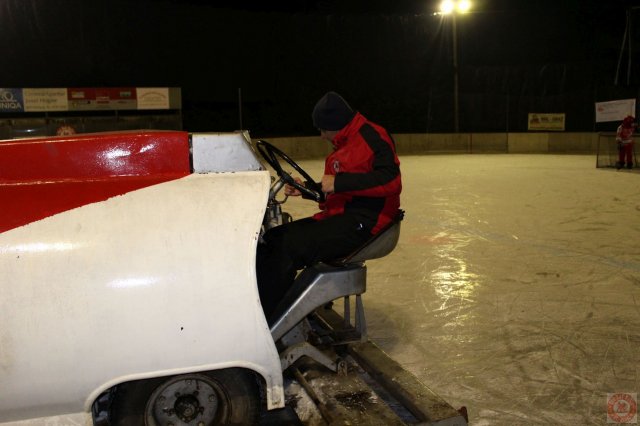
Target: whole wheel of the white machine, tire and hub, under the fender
x=222, y=397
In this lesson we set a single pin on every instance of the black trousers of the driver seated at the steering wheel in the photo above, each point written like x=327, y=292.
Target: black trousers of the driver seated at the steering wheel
x=293, y=246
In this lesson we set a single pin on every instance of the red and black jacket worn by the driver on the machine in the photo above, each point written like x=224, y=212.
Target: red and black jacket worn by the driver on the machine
x=367, y=172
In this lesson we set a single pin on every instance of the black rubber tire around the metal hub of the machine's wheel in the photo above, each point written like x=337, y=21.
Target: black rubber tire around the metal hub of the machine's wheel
x=240, y=387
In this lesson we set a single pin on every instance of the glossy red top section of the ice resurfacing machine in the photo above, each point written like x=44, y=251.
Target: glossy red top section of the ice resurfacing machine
x=46, y=176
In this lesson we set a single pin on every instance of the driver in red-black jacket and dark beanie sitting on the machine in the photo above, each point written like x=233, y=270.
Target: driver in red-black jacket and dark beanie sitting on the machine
x=362, y=186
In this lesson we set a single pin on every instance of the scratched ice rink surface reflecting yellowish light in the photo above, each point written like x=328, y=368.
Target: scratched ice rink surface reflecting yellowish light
x=515, y=287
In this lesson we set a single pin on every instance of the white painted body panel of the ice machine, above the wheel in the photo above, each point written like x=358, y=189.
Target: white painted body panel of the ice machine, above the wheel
x=154, y=282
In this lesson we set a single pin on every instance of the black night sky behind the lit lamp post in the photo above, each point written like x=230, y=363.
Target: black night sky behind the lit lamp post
x=391, y=59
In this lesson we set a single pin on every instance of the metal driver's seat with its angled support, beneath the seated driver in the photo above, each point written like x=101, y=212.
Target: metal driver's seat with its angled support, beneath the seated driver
x=321, y=284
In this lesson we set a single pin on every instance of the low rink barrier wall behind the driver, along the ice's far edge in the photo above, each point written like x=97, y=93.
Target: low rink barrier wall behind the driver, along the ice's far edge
x=459, y=143
